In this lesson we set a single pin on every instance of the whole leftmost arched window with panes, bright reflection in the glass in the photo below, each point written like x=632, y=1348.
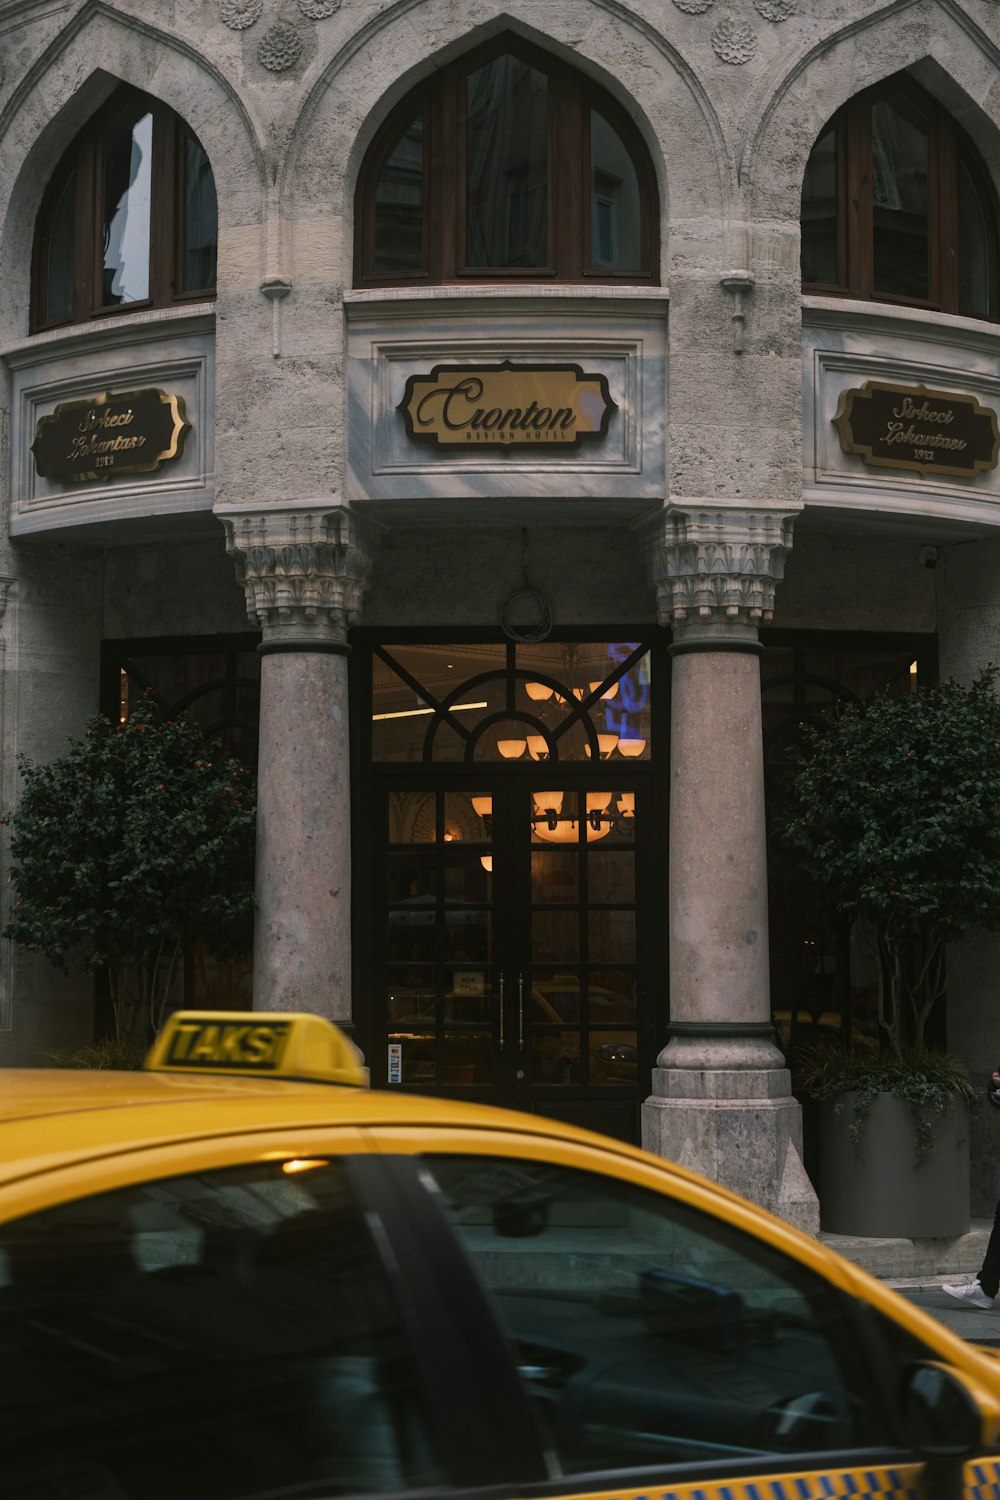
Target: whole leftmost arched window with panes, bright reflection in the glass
x=130, y=218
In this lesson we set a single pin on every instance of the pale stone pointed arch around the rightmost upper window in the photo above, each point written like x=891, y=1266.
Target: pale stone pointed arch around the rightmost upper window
x=929, y=38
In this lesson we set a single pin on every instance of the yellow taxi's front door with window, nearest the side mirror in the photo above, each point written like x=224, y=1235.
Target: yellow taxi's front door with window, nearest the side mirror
x=662, y=1346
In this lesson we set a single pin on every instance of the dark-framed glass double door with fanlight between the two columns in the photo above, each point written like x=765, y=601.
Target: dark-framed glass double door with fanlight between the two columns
x=515, y=812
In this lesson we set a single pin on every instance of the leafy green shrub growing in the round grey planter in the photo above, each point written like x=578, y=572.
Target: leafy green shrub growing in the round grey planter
x=893, y=820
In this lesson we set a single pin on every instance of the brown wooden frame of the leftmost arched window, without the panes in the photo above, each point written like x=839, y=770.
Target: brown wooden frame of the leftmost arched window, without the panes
x=167, y=217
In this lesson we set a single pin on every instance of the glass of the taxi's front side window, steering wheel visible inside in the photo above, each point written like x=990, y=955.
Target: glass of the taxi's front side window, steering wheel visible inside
x=648, y=1333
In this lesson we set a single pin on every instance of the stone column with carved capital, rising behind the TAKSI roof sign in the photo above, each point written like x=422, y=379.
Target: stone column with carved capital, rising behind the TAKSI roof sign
x=305, y=574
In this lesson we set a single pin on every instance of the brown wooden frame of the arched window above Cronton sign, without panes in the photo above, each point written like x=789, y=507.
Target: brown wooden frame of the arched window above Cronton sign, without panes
x=440, y=104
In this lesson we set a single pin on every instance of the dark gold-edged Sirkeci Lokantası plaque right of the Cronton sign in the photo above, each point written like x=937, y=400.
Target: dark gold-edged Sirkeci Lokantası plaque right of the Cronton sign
x=917, y=428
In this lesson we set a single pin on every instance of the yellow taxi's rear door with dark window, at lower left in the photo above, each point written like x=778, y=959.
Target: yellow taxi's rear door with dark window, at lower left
x=244, y=1319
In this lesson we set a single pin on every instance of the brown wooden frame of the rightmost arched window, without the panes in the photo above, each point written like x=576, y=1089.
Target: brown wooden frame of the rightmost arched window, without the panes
x=948, y=149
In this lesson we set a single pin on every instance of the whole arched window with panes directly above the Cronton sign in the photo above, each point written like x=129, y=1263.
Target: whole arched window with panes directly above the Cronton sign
x=507, y=166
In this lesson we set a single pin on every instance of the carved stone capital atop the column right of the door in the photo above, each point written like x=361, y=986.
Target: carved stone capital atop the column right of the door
x=719, y=566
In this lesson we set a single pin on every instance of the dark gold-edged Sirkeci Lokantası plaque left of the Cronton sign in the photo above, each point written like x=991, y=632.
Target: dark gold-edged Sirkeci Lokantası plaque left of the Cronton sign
x=106, y=437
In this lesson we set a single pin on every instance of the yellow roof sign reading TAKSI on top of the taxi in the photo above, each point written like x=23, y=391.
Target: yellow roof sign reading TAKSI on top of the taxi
x=275, y=1045
